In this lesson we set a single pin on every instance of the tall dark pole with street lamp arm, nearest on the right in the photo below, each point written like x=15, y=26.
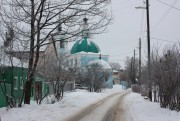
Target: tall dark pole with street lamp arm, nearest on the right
x=148, y=44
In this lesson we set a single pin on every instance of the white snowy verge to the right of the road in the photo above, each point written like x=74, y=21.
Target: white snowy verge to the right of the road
x=144, y=110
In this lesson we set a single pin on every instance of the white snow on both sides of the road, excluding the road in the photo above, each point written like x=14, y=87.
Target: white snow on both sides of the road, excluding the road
x=137, y=107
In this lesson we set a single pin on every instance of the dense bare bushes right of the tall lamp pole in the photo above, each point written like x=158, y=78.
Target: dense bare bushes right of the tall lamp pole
x=165, y=77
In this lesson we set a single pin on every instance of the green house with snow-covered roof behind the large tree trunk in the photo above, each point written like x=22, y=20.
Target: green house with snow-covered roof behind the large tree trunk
x=13, y=74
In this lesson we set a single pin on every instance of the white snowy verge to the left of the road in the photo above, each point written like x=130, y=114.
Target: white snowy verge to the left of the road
x=71, y=103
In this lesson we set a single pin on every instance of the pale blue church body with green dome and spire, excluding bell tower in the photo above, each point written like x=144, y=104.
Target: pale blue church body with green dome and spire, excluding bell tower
x=85, y=52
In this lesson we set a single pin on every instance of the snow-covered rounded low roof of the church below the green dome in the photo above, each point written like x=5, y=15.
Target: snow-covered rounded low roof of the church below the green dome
x=103, y=63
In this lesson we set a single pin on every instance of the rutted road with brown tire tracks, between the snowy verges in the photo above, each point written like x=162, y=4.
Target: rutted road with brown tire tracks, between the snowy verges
x=104, y=110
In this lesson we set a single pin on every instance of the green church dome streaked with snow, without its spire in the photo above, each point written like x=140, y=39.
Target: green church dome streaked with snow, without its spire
x=85, y=45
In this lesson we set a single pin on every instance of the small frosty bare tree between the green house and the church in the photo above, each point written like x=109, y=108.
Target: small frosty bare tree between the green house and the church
x=57, y=70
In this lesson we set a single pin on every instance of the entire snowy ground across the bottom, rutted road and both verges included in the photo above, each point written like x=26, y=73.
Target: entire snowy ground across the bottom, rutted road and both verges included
x=110, y=105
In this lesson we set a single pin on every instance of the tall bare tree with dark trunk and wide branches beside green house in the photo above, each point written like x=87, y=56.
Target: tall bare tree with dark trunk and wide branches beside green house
x=34, y=22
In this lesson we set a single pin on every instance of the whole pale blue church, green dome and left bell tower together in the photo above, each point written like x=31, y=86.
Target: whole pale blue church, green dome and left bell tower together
x=83, y=53
